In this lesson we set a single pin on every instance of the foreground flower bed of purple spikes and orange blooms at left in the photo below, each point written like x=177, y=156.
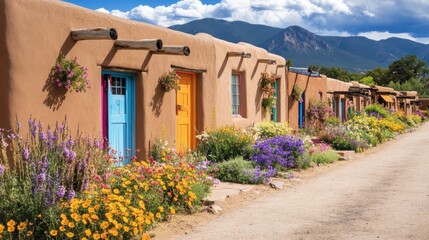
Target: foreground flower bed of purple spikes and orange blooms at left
x=56, y=186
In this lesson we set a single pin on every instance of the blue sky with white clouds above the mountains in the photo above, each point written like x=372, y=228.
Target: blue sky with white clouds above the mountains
x=374, y=19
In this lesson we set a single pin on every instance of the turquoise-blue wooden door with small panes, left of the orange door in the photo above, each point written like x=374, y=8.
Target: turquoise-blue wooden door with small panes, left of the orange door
x=120, y=114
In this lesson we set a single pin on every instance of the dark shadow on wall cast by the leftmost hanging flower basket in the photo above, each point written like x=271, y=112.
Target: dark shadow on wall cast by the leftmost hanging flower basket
x=56, y=95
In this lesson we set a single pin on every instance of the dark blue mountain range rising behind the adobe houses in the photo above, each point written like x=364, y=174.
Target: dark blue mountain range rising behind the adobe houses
x=306, y=48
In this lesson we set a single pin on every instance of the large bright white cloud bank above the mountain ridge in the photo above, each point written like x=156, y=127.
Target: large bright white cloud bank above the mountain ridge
x=277, y=13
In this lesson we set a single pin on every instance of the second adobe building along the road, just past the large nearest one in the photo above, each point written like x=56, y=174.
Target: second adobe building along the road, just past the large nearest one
x=313, y=87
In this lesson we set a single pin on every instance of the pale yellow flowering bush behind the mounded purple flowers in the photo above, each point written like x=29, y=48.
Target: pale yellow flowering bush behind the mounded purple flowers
x=268, y=129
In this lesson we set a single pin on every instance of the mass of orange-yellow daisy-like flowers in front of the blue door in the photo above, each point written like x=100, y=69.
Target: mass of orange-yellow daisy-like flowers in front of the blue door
x=137, y=196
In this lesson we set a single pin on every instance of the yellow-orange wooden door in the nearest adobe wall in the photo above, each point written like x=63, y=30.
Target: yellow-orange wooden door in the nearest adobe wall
x=185, y=111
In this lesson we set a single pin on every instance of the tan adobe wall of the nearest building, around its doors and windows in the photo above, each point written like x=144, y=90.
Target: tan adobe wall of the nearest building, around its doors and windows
x=35, y=41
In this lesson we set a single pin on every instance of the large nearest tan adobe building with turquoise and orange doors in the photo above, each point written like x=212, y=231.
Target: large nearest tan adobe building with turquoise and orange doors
x=219, y=80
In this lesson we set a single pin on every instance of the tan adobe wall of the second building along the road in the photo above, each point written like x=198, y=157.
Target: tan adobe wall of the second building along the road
x=315, y=89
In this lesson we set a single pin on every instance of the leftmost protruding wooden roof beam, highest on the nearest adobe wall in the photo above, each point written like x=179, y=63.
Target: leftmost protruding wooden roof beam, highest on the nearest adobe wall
x=94, y=34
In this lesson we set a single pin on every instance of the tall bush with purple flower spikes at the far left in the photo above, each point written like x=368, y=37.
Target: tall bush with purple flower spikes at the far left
x=41, y=171
